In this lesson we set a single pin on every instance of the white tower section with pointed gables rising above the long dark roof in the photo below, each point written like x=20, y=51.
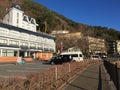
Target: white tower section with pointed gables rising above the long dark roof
x=16, y=17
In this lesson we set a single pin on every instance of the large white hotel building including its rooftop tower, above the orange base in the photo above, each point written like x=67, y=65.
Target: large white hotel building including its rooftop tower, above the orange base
x=18, y=36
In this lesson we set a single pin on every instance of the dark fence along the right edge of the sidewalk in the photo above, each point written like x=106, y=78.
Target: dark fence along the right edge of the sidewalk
x=114, y=73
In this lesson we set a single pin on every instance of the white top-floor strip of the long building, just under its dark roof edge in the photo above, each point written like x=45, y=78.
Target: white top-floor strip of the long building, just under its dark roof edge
x=25, y=36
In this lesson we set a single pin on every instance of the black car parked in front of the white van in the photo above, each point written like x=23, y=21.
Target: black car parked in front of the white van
x=60, y=59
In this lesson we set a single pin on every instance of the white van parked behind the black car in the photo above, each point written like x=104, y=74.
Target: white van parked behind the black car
x=75, y=55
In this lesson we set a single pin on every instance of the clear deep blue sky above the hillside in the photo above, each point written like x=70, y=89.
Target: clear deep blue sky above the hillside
x=104, y=13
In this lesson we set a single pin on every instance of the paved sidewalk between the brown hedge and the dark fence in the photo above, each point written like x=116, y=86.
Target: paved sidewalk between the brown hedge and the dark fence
x=93, y=78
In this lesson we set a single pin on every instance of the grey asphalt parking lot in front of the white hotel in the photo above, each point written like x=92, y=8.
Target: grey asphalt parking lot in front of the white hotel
x=7, y=70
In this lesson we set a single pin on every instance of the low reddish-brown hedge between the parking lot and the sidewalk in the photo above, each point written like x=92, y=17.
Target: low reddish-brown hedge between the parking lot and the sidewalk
x=51, y=79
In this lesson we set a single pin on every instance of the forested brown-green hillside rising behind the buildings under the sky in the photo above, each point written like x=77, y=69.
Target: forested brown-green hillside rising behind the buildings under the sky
x=55, y=21
